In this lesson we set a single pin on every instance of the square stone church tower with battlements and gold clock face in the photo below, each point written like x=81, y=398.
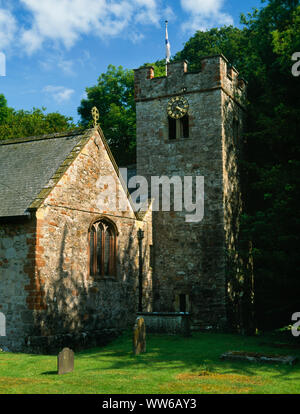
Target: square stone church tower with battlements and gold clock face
x=190, y=124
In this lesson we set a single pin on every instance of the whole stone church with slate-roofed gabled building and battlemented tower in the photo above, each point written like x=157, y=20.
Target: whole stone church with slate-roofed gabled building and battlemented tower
x=73, y=271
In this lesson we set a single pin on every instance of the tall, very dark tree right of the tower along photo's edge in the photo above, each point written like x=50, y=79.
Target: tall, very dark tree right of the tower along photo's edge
x=271, y=168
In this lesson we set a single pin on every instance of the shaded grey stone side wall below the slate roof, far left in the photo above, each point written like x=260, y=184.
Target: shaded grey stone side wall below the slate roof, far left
x=16, y=267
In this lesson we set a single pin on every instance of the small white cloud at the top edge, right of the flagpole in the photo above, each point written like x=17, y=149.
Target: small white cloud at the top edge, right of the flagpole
x=204, y=14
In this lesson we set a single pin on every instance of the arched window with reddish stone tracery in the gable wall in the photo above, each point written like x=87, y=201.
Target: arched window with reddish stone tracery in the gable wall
x=102, y=249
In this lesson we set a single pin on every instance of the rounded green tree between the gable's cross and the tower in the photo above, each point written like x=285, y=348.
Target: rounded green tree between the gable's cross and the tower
x=114, y=97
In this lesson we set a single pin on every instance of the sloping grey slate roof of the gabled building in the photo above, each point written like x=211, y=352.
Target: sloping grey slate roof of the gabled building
x=31, y=167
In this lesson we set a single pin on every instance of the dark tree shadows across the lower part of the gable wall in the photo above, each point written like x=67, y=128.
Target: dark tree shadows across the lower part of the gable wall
x=81, y=311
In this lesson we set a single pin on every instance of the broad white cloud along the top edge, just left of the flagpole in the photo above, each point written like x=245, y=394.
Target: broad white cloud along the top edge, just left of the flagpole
x=65, y=21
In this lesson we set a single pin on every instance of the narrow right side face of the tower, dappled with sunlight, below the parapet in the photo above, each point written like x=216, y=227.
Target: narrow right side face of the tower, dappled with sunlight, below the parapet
x=239, y=271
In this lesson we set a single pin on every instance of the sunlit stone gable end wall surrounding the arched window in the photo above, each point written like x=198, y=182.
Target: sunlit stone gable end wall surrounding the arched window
x=74, y=300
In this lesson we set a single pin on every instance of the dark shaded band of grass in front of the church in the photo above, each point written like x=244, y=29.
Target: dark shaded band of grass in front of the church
x=201, y=352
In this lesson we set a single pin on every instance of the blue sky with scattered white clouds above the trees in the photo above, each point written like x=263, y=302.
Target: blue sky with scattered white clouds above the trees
x=56, y=48
